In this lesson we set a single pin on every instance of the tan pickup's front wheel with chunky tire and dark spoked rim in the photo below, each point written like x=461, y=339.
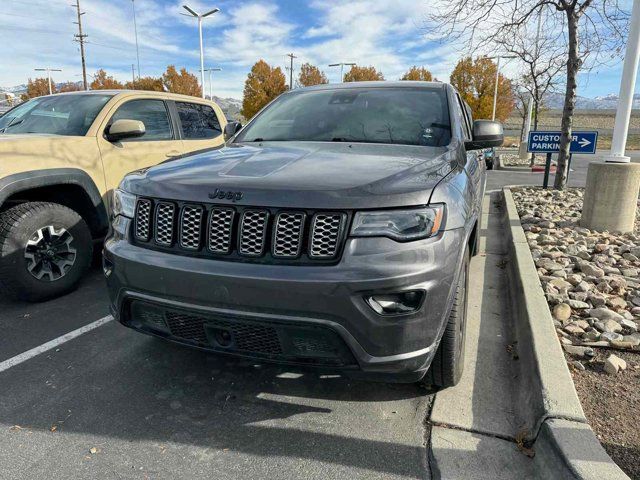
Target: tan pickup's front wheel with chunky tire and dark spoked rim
x=45, y=250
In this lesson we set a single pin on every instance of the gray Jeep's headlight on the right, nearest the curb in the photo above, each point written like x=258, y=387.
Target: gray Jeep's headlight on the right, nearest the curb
x=401, y=225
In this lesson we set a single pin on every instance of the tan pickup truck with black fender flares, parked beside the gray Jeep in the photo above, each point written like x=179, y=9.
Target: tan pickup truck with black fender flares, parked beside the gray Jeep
x=62, y=155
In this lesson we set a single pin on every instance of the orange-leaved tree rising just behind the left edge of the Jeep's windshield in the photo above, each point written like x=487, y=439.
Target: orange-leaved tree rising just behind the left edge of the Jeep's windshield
x=263, y=84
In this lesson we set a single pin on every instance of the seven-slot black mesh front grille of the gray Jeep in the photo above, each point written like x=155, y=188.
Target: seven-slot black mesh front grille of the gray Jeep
x=240, y=233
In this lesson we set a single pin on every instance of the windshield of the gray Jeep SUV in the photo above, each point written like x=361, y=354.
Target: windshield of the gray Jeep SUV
x=408, y=116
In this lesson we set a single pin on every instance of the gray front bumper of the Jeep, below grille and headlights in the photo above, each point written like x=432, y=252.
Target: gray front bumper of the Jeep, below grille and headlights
x=326, y=302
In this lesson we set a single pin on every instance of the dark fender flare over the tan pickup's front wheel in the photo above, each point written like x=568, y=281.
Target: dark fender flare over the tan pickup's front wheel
x=19, y=182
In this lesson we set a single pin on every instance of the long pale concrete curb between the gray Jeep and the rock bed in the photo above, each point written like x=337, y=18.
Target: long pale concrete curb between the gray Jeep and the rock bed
x=549, y=403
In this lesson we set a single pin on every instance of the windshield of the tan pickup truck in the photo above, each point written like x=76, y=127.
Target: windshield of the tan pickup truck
x=58, y=115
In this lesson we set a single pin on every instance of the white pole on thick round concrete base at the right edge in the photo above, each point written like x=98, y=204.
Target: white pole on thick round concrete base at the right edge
x=611, y=194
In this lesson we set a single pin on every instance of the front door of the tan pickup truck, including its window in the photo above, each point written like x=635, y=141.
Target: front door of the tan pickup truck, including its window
x=158, y=144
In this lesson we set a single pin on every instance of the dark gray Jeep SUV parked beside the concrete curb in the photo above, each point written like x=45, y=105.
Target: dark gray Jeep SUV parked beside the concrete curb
x=334, y=230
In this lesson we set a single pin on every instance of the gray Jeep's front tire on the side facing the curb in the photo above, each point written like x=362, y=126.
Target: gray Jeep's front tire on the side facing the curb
x=448, y=363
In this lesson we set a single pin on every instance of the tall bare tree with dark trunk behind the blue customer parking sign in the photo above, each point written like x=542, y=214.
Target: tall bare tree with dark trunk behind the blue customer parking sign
x=589, y=33
